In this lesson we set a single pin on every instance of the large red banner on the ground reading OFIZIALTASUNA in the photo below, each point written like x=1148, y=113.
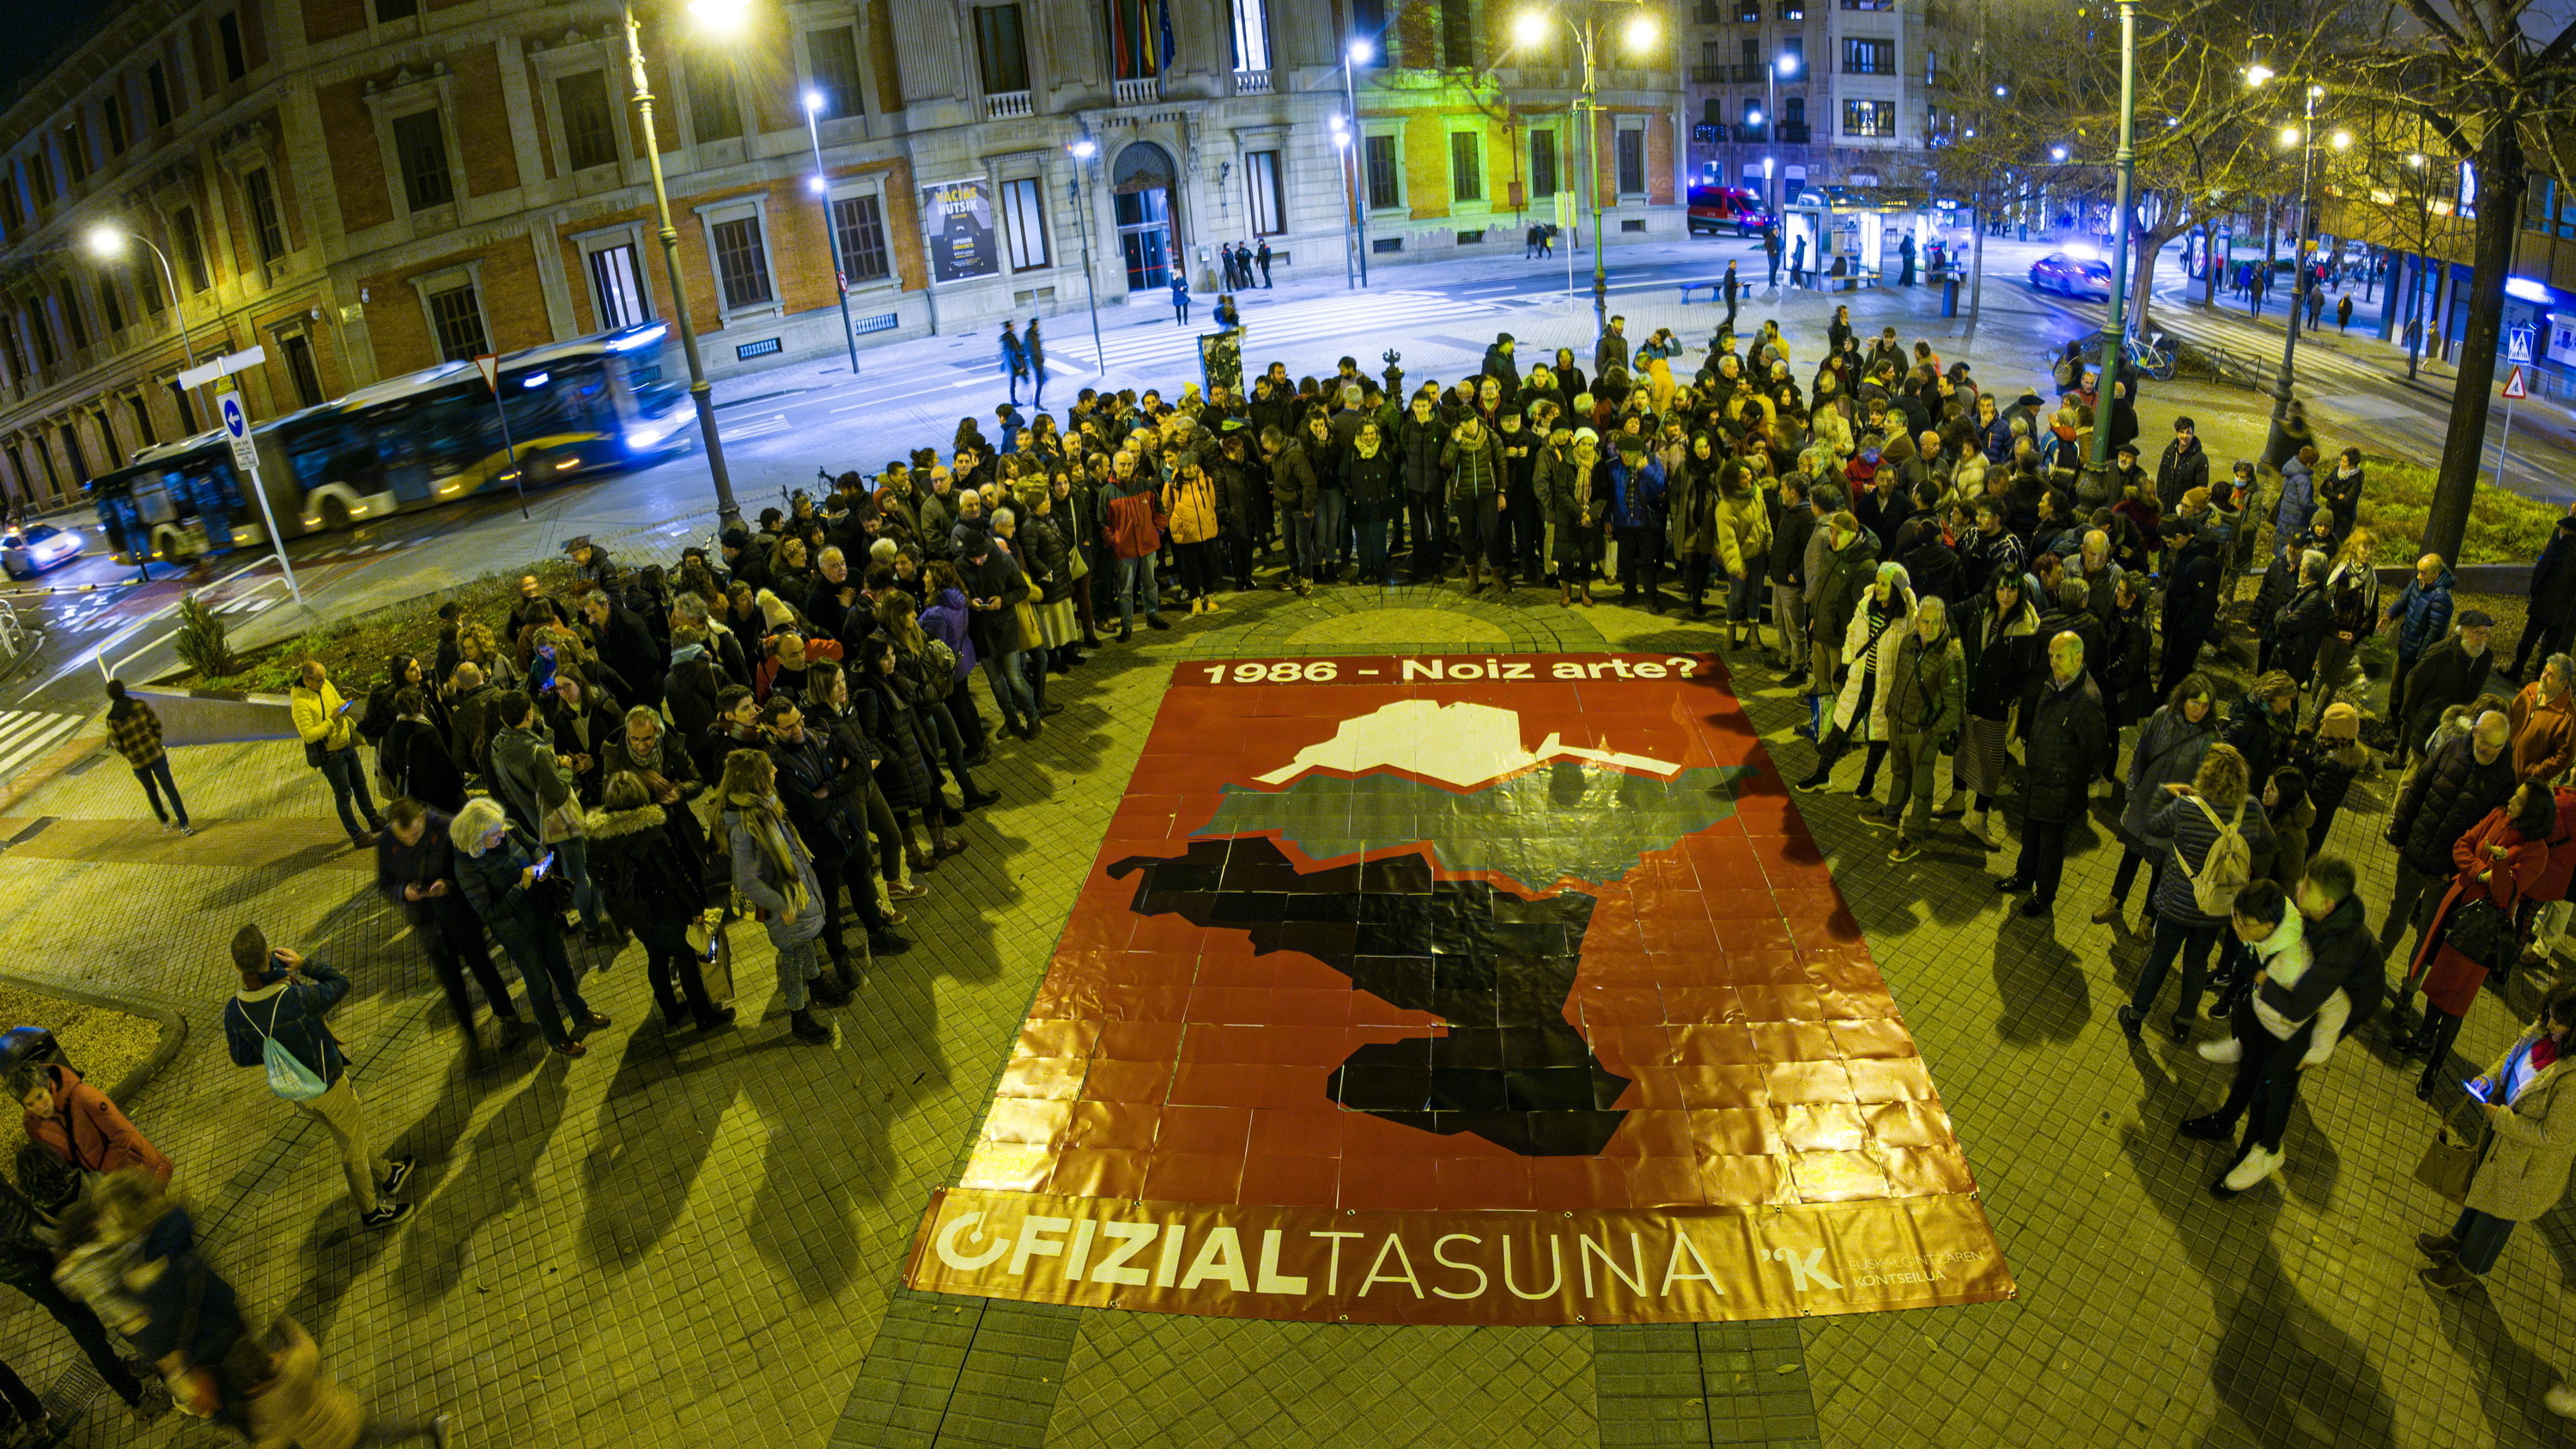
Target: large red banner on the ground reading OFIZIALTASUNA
x=1462, y=991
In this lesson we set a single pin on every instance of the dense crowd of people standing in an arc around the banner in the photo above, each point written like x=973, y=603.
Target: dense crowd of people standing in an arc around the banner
x=782, y=731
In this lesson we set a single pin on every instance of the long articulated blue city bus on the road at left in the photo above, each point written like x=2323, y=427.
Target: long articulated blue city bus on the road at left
x=411, y=442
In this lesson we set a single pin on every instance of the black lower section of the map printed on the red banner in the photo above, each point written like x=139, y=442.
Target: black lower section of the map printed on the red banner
x=1493, y=966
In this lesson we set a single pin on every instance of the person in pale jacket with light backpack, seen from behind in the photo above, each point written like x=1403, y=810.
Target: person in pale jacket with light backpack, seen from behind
x=2214, y=829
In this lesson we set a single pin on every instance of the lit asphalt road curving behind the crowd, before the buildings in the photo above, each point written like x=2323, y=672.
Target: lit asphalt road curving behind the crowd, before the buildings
x=784, y=424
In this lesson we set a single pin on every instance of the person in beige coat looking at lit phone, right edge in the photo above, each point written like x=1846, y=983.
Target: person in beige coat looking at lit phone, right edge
x=2528, y=1156
